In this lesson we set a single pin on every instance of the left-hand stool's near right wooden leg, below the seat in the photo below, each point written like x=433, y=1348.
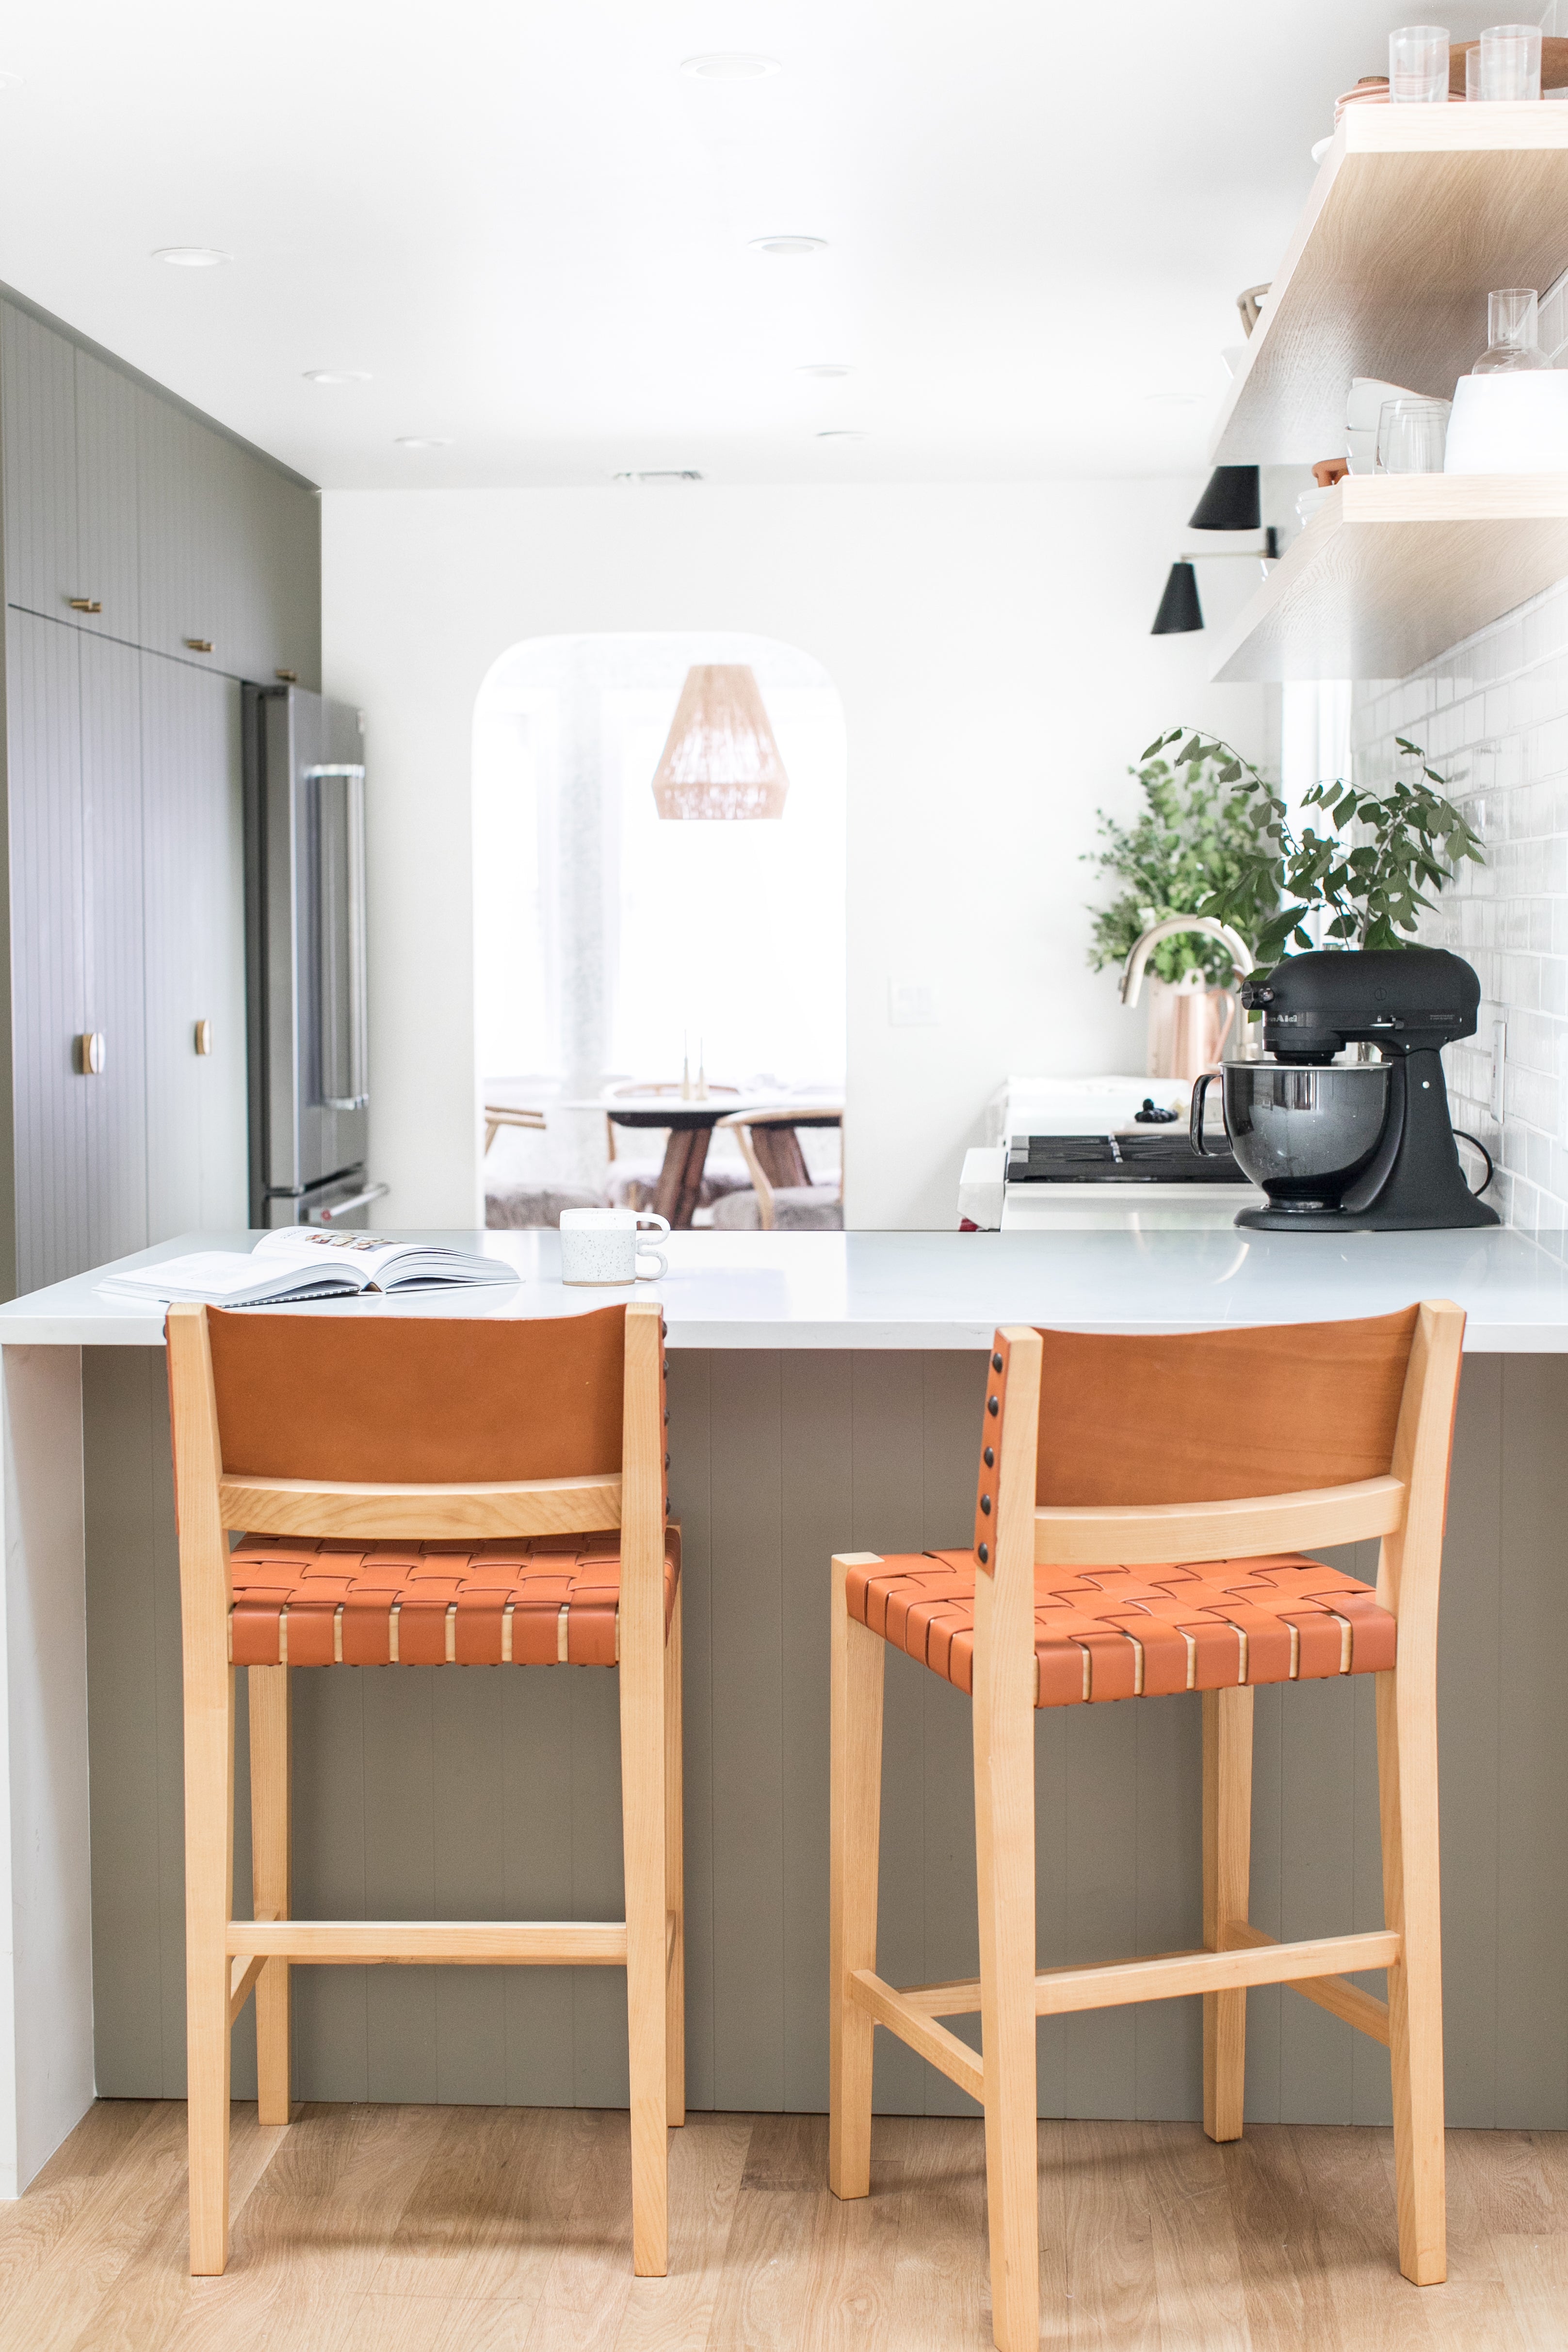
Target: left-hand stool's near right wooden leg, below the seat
x=643, y=1831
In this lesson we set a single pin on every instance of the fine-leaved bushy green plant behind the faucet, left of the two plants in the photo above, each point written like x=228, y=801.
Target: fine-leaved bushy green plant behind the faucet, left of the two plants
x=1191, y=841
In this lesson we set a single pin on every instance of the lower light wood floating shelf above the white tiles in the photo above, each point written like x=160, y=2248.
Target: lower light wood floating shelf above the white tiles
x=1395, y=570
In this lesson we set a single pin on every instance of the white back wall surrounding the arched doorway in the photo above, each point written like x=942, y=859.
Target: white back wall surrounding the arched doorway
x=998, y=674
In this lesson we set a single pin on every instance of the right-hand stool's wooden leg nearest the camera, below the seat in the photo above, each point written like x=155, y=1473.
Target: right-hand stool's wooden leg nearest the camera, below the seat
x=1005, y=1855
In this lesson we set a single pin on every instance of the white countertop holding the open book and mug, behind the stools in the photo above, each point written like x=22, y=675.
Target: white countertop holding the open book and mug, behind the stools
x=939, y=1290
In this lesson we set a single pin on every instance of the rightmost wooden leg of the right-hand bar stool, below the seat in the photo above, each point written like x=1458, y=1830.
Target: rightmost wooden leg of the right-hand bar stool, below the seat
x=1407, y=1786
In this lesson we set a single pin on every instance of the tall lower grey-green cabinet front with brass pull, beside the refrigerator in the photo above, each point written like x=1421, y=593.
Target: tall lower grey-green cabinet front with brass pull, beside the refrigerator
x=194, y=949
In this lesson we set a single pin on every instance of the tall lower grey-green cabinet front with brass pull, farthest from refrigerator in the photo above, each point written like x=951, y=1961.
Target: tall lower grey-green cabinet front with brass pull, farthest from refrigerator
x=76, y=949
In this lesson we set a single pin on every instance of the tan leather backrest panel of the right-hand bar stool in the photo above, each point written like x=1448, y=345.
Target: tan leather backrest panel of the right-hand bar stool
x=1214, y=1415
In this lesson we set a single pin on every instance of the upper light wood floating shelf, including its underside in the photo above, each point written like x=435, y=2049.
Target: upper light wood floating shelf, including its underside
x=1414, y=215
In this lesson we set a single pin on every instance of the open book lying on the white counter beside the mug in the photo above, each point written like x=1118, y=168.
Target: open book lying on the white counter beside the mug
x=307, y=1262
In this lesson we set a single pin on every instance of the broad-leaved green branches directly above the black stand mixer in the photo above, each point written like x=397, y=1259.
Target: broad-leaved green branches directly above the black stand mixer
x=1372, y=886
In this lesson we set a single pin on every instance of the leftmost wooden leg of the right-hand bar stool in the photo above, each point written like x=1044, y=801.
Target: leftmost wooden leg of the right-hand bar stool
x=857, y=1831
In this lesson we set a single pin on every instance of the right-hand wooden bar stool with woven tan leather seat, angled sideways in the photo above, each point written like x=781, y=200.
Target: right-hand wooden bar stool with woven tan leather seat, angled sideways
x=1198, y=1466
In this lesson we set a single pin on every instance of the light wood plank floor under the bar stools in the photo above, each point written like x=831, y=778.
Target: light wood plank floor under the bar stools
x=509, y=2231
